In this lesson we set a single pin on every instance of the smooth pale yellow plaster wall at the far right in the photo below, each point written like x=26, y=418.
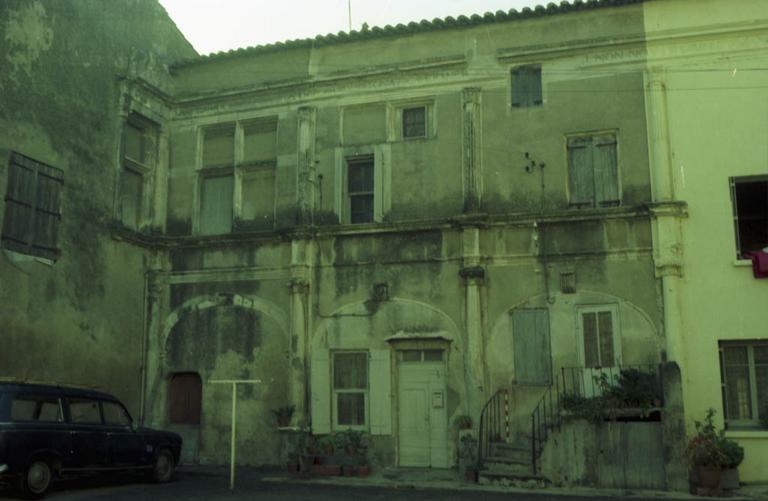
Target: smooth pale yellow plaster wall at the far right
x=715, y=129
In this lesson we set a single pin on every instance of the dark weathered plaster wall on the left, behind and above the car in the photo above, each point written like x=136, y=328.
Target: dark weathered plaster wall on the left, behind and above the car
x=80, y=319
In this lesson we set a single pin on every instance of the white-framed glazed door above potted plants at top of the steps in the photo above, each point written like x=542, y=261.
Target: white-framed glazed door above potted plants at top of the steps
x=599, y=335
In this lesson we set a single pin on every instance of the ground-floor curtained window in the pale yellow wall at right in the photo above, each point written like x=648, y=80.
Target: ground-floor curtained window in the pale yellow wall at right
x=744, y=373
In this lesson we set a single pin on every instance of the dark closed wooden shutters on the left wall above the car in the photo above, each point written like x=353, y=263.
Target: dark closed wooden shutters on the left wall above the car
x=32, y=245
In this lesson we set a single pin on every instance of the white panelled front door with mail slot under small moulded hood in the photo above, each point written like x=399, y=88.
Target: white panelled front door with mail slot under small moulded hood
x=422, y=419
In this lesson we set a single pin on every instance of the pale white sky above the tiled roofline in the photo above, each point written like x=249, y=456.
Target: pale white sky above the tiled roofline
x=221, y=25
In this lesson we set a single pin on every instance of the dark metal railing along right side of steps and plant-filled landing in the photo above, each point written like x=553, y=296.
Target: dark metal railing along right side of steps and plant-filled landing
x=621, y=386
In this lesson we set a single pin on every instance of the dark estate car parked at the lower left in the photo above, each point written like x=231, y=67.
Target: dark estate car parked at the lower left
x=48, y=431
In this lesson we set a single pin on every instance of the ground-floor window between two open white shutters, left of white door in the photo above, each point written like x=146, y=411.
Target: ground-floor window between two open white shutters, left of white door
x=350, y=389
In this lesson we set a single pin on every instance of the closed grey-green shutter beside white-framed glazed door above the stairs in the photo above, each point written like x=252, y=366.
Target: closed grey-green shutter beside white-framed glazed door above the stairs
x=533, y=358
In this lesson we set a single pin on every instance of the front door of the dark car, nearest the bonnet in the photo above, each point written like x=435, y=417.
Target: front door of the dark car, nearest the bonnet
x=126, y=445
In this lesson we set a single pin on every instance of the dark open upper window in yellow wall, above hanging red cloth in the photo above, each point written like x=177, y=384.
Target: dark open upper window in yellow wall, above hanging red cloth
x=749, y=196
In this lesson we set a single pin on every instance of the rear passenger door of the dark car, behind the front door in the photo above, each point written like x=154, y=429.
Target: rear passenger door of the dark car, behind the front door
x=88, y=436
